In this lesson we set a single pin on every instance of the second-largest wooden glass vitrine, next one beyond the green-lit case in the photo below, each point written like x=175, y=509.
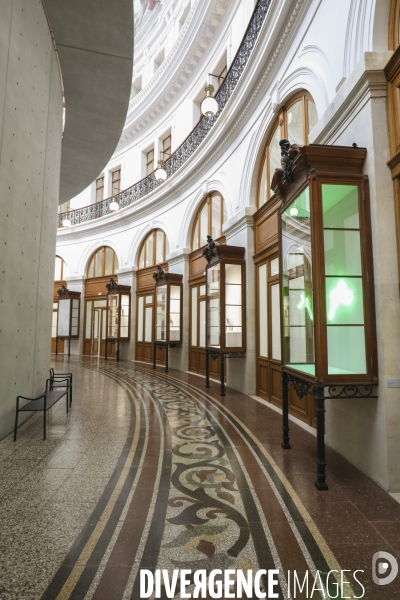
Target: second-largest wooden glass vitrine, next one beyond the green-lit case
x=225, y=275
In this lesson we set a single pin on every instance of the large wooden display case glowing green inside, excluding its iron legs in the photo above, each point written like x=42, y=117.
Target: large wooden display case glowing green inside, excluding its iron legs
x=327, y=278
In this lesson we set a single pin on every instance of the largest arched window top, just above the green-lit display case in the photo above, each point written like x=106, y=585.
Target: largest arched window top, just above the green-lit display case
x=294, y=123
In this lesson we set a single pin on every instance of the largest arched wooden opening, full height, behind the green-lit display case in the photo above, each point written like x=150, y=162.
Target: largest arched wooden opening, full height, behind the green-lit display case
x=294, y=122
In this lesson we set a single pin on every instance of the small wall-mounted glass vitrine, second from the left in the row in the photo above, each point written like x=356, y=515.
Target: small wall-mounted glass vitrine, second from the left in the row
x=118, y=311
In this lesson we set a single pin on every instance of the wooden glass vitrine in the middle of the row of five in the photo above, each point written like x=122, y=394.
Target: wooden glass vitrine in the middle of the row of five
x=168, y=290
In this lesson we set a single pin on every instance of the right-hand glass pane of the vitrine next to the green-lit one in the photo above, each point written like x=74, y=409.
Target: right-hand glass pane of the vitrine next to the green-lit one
x=233, y=306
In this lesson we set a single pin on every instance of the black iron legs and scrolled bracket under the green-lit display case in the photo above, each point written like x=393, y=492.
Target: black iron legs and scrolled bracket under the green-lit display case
x=303, y=387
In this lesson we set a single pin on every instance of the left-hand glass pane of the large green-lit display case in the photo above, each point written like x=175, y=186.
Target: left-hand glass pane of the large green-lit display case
x=297, y=285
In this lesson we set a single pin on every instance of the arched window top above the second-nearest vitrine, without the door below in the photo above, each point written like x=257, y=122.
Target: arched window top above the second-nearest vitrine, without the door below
x=209, y=220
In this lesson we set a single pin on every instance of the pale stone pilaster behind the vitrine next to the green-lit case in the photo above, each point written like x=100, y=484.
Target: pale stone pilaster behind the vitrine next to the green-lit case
x=241, y=372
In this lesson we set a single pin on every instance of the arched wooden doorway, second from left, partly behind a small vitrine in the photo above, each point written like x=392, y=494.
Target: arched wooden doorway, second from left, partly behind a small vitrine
x=102, y=265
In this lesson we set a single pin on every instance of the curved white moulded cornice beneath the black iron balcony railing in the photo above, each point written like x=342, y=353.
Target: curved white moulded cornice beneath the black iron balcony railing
x=242, y=108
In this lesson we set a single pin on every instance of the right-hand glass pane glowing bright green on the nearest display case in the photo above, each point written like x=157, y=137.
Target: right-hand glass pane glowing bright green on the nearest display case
x=344, y=292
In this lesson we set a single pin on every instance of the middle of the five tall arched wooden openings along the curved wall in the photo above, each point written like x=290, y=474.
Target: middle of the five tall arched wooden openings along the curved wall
x=153, y=251
